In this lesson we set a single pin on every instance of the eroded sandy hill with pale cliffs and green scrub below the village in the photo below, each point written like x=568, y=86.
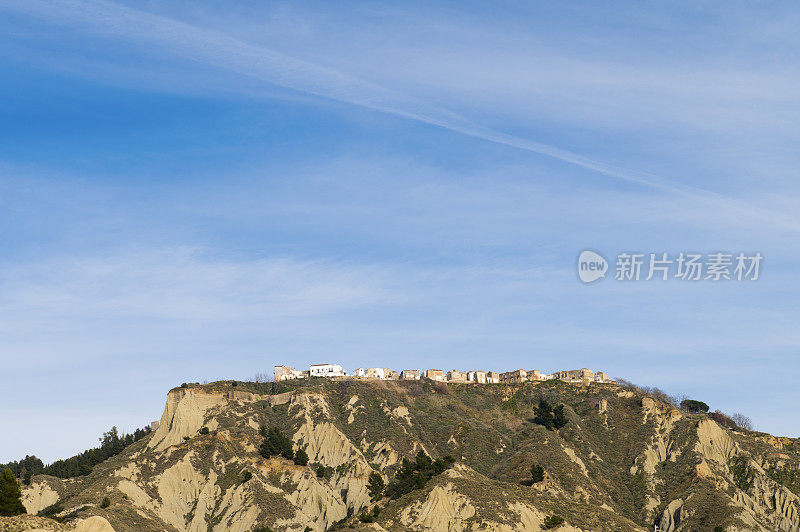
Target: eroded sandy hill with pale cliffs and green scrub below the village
x=622, y=461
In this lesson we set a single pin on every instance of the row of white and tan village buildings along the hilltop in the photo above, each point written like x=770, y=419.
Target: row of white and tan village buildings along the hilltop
x=576, y=376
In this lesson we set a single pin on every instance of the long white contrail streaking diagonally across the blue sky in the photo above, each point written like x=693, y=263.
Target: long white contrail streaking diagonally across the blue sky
x=217, y=49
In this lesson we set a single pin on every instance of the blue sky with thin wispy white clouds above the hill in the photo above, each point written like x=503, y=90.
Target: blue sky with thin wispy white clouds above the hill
x=194, y=191
